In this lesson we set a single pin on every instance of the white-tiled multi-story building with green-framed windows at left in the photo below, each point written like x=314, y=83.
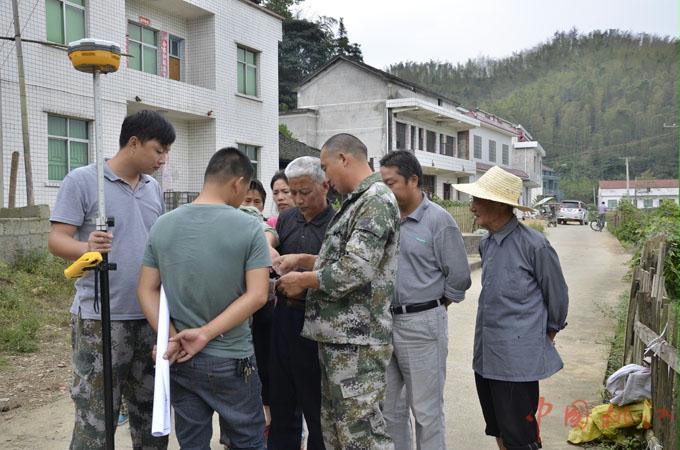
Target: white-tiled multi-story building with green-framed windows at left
x=211, y=66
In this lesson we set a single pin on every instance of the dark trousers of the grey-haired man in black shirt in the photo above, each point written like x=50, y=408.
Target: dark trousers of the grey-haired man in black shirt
x=295, y=386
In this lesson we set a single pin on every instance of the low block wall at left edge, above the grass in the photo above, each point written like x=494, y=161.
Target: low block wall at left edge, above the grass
x=23, y=230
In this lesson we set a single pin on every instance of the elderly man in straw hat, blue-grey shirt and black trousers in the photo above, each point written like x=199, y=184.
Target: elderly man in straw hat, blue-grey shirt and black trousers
x=522, y=306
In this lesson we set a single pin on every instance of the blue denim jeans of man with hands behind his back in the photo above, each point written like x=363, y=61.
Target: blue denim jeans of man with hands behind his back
x=230, y=387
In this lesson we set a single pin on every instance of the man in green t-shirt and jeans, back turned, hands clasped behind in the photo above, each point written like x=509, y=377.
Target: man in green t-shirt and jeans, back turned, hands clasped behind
x=214, y=263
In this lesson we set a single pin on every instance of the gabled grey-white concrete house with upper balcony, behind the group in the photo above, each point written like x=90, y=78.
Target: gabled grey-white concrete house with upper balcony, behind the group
x=386, y=113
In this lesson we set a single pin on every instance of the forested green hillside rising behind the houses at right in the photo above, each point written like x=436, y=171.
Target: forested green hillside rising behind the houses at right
x=589, y=99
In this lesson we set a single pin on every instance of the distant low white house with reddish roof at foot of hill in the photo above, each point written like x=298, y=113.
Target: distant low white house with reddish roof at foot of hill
x=642, y=193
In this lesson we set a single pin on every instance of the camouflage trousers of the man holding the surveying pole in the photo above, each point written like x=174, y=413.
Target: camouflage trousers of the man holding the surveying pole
x=133, y=377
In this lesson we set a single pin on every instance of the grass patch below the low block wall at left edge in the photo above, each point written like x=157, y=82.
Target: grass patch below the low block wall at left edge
x=33, y=293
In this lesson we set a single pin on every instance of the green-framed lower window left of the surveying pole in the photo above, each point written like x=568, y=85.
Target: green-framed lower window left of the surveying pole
x=67, y=146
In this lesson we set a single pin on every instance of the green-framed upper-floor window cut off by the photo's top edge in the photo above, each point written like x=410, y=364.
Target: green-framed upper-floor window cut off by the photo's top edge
x=65, y=20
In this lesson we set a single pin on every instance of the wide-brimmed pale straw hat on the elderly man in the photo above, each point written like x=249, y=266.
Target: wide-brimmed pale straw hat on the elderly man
x=496, y=185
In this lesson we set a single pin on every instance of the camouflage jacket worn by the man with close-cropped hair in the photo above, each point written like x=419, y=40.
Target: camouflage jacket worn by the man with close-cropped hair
x=356, y=267
